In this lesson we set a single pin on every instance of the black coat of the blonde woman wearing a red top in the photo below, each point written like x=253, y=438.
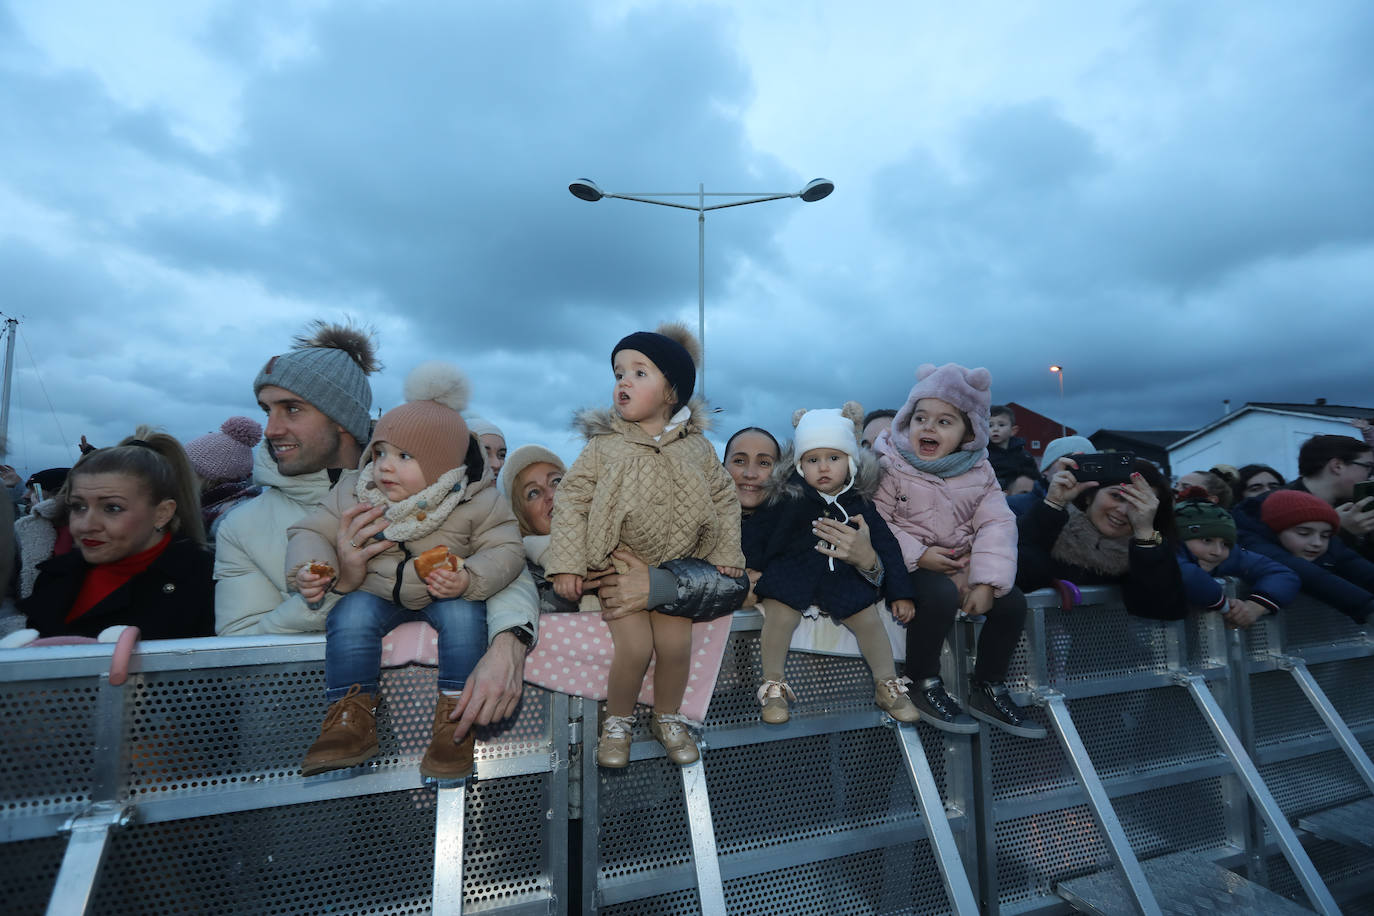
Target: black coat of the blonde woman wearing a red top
x=171, y=599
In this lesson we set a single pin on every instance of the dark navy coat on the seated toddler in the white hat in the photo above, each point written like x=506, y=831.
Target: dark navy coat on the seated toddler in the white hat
x=781, y=546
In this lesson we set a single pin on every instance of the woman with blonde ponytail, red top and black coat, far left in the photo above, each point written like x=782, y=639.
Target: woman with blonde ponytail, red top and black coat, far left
x=139, y=560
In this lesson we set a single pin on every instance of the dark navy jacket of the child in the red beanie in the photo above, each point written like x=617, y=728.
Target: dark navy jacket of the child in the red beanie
x=1340, y=577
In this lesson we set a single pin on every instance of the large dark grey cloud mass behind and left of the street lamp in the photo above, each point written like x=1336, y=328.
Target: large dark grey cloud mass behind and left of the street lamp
x=424, y=154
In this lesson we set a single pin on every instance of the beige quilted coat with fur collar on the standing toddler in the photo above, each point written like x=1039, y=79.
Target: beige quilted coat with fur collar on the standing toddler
x=664, y=501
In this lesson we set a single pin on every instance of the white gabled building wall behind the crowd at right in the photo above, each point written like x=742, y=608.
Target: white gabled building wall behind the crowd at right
x=1257, y=437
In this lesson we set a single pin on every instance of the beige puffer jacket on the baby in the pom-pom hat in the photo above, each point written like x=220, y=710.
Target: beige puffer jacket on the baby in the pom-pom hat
x=482, y=529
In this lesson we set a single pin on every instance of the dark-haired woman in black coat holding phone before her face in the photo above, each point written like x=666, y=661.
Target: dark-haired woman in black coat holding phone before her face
x=1118, y=535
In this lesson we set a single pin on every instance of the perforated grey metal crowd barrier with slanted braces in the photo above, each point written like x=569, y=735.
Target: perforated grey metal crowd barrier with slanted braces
x=1182, y=756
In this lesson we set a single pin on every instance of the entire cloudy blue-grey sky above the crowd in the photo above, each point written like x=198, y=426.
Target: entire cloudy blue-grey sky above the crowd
x=1173, y=200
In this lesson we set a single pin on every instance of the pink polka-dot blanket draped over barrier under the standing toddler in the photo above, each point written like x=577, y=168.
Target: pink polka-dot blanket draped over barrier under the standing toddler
x=575, y=650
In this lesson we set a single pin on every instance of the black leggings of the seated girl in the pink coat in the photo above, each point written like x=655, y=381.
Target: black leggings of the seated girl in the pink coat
x=938, y=604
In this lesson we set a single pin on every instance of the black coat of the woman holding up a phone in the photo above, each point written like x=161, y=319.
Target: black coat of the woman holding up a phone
x=1152, y=587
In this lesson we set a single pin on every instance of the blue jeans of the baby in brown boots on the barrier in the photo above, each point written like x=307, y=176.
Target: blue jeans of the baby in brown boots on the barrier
x=355, y=628
